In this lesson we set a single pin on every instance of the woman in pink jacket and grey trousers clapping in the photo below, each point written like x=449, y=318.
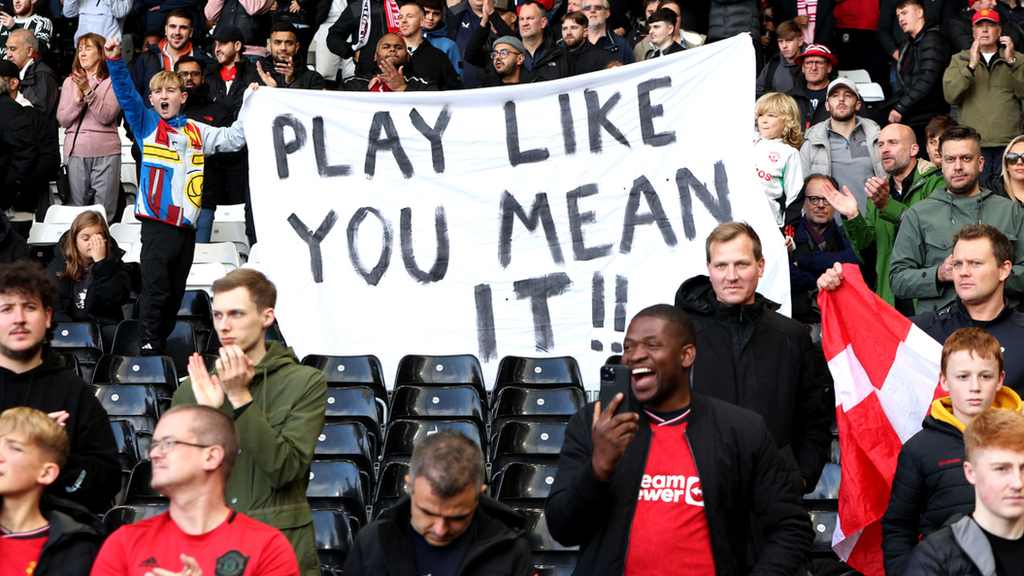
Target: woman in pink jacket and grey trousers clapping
x=90, y=112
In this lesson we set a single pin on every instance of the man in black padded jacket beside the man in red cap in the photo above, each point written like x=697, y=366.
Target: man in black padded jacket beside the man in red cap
x=923, y=61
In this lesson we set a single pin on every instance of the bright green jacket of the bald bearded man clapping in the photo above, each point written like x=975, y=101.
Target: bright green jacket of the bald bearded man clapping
x=878, y=229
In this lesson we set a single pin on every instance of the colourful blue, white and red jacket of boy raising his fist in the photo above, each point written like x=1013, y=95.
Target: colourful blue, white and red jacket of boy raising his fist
x=174, y=154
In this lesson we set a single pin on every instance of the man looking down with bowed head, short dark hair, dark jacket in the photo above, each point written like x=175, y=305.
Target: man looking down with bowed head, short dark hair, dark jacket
x=446, y=526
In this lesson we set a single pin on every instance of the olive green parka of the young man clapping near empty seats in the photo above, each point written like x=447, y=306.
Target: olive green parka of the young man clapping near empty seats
x=279, y=432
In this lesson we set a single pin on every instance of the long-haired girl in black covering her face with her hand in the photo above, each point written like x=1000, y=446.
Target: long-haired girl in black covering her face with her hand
x=93, y=279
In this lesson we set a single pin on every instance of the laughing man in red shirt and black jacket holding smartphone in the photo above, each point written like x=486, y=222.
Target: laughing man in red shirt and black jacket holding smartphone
x=671, y=489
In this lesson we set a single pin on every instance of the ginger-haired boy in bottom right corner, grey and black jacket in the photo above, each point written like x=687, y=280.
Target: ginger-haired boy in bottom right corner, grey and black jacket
x=988, y=542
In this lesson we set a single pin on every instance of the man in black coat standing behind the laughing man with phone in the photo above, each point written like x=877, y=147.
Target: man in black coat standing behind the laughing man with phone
x=754, y=357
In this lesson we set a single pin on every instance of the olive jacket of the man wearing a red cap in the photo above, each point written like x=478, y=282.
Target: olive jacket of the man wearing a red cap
x=989, y=97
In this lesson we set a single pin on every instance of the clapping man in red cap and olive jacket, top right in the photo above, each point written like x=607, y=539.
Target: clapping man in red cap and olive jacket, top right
x=987, y=83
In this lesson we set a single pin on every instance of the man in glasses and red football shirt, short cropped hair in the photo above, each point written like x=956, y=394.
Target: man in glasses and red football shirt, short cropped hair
x=194, y=450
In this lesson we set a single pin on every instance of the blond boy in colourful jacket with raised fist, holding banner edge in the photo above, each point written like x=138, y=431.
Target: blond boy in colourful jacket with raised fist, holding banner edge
x=170, y=191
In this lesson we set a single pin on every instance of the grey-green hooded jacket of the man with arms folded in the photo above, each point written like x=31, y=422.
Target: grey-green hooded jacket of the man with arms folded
x=927, y=238
